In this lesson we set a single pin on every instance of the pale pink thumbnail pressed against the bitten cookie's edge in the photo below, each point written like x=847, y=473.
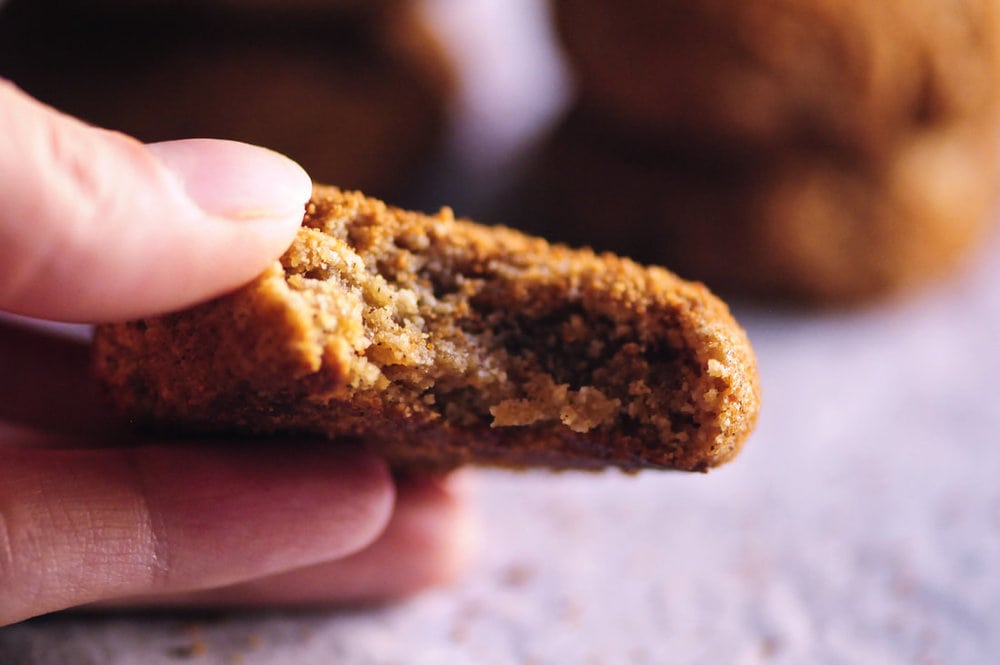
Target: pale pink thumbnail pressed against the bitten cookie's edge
x=235, y=180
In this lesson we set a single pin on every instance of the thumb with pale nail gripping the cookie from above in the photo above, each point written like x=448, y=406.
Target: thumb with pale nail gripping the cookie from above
x=96, y=226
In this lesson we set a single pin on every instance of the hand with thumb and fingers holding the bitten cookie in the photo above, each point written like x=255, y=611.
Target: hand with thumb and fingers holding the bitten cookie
x=95, y=226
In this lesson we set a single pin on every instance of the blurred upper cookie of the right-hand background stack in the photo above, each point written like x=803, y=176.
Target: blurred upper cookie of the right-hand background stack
x=854, y=76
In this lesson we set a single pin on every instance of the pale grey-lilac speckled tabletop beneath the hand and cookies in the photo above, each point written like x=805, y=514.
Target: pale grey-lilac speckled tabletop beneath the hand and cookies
x=861, y=525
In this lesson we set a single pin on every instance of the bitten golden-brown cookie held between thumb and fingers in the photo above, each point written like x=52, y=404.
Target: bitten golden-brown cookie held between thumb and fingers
x=439, y=342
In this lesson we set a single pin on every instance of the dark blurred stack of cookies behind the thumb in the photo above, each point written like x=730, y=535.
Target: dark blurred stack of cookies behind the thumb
x=357, y=91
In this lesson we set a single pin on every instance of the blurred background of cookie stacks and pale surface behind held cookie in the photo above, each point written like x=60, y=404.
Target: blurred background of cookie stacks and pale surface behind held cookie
x=829, y=167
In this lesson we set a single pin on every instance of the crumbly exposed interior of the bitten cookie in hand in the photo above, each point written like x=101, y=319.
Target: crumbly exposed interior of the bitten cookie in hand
x=506, y=341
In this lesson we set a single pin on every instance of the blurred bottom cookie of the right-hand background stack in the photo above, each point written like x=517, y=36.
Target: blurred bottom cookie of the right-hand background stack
x=803, y=226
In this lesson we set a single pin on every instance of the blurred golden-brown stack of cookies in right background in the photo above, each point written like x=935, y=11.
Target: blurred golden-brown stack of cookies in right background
x=823, y=151
